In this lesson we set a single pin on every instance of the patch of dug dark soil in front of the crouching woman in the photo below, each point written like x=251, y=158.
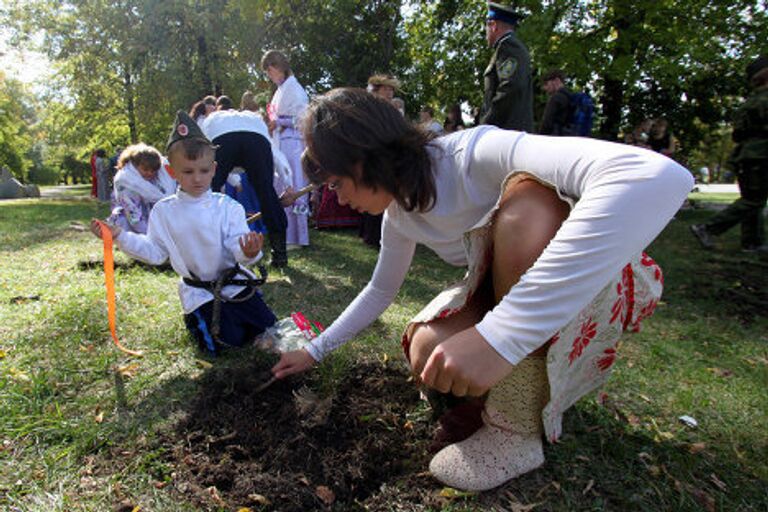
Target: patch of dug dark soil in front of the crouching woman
x=290, y=448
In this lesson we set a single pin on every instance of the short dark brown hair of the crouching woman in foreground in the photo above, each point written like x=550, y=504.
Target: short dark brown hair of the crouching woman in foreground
x=348, y=126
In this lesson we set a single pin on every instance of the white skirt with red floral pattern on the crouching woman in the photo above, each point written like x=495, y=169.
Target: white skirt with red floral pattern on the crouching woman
x=580, y=356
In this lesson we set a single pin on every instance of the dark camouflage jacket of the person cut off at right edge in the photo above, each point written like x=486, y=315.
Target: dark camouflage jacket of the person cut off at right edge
x=750, y=128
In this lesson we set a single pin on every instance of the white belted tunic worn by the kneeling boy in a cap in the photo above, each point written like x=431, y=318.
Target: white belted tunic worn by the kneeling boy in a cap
x=200, y=236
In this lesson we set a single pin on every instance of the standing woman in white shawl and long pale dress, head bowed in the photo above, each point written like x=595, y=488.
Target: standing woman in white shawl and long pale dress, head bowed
x=285, y=110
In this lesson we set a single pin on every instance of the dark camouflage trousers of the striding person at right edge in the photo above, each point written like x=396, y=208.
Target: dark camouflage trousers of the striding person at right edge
x=748, y=209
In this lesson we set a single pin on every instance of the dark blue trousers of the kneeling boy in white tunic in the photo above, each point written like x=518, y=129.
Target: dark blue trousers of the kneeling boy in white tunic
x=239, y=322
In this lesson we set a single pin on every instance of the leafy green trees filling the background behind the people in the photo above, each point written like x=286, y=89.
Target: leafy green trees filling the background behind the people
x=124, y=67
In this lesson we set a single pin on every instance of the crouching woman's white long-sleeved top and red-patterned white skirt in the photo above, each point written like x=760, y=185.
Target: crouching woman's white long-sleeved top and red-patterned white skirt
x=591, y=281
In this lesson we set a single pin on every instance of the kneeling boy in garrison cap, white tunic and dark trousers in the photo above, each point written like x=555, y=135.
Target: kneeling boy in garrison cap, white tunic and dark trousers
x=206, y=237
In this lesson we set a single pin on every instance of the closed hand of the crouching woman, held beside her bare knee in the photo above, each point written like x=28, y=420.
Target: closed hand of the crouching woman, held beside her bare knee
x=465, y=364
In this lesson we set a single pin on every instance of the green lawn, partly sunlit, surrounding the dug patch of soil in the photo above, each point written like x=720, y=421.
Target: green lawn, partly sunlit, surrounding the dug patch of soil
x=63, y=409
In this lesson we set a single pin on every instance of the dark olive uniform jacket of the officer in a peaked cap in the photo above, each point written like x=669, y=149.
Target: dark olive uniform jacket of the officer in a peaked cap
x=508, y=101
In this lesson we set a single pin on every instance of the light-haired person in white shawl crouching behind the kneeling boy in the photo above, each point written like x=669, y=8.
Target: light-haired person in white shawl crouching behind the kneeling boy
x=140, y=182
